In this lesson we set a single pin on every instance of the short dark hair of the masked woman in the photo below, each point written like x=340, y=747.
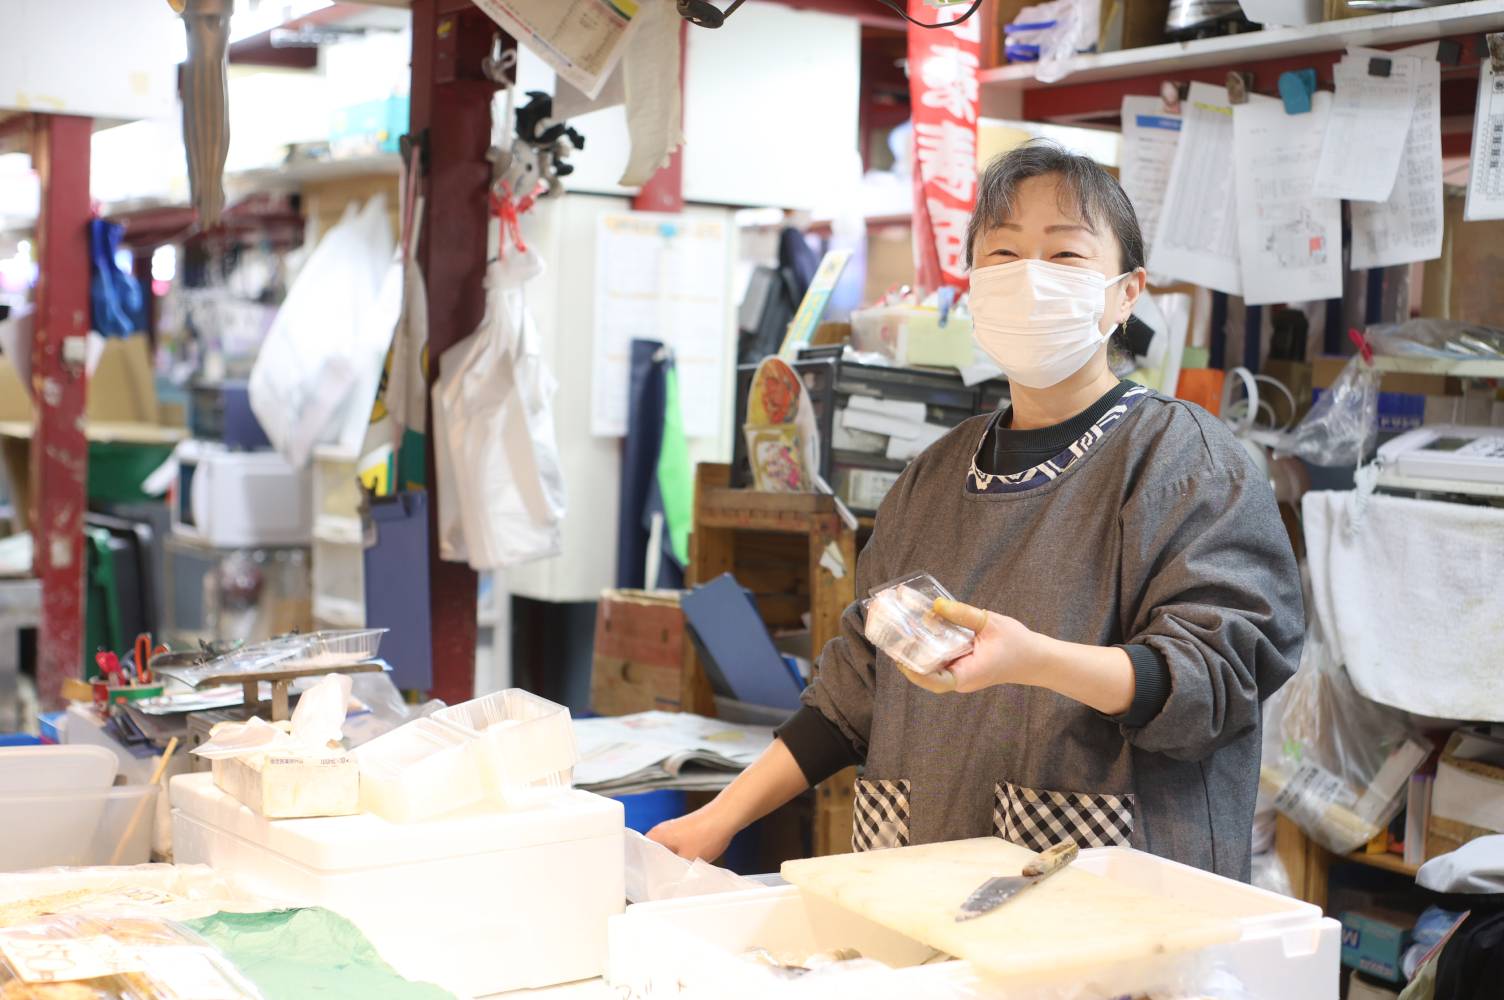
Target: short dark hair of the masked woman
x=1094, y=195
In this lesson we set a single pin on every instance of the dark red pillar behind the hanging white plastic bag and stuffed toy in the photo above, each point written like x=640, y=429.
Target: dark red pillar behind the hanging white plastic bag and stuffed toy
x=452, y=102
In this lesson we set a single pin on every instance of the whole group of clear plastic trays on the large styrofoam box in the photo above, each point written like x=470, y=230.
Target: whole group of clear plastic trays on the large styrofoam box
x=505, y=750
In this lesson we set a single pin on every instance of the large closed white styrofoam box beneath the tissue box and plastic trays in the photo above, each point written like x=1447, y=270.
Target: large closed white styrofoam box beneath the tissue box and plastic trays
x=479, y=903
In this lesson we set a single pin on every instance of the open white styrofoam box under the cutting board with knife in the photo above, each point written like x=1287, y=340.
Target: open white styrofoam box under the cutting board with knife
x=697, y=947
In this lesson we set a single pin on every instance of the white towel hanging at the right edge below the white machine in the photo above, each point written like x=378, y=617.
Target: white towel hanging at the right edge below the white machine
x=1408, y=595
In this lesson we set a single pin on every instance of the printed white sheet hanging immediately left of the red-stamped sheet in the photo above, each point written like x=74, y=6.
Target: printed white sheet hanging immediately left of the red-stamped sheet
x=1198, y=235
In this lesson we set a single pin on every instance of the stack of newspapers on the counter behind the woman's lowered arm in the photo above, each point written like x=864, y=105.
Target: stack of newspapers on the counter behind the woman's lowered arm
x=658, y=750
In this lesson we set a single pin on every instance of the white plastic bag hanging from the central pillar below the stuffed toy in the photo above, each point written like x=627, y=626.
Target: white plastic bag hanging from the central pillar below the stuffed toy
x=497, y=459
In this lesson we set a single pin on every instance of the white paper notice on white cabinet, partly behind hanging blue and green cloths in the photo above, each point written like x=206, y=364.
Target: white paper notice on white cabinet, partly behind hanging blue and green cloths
x=661, y=277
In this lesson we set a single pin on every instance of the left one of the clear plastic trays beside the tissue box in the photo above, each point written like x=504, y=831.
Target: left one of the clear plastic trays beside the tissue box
x=419, y=771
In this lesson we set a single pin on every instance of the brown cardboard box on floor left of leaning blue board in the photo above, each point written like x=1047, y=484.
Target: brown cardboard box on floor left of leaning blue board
x=643, y=653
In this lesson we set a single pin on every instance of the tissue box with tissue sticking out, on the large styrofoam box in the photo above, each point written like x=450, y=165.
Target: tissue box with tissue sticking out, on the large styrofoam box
x=294, y=786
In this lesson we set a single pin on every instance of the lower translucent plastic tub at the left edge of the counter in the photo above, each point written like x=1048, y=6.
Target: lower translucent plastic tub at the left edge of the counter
x=111, y=826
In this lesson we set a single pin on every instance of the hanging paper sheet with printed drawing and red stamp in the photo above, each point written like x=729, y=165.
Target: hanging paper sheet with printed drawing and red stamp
x=1290, y=238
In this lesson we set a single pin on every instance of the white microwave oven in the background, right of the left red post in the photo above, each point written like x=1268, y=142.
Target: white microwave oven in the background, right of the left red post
x=237, y=500
